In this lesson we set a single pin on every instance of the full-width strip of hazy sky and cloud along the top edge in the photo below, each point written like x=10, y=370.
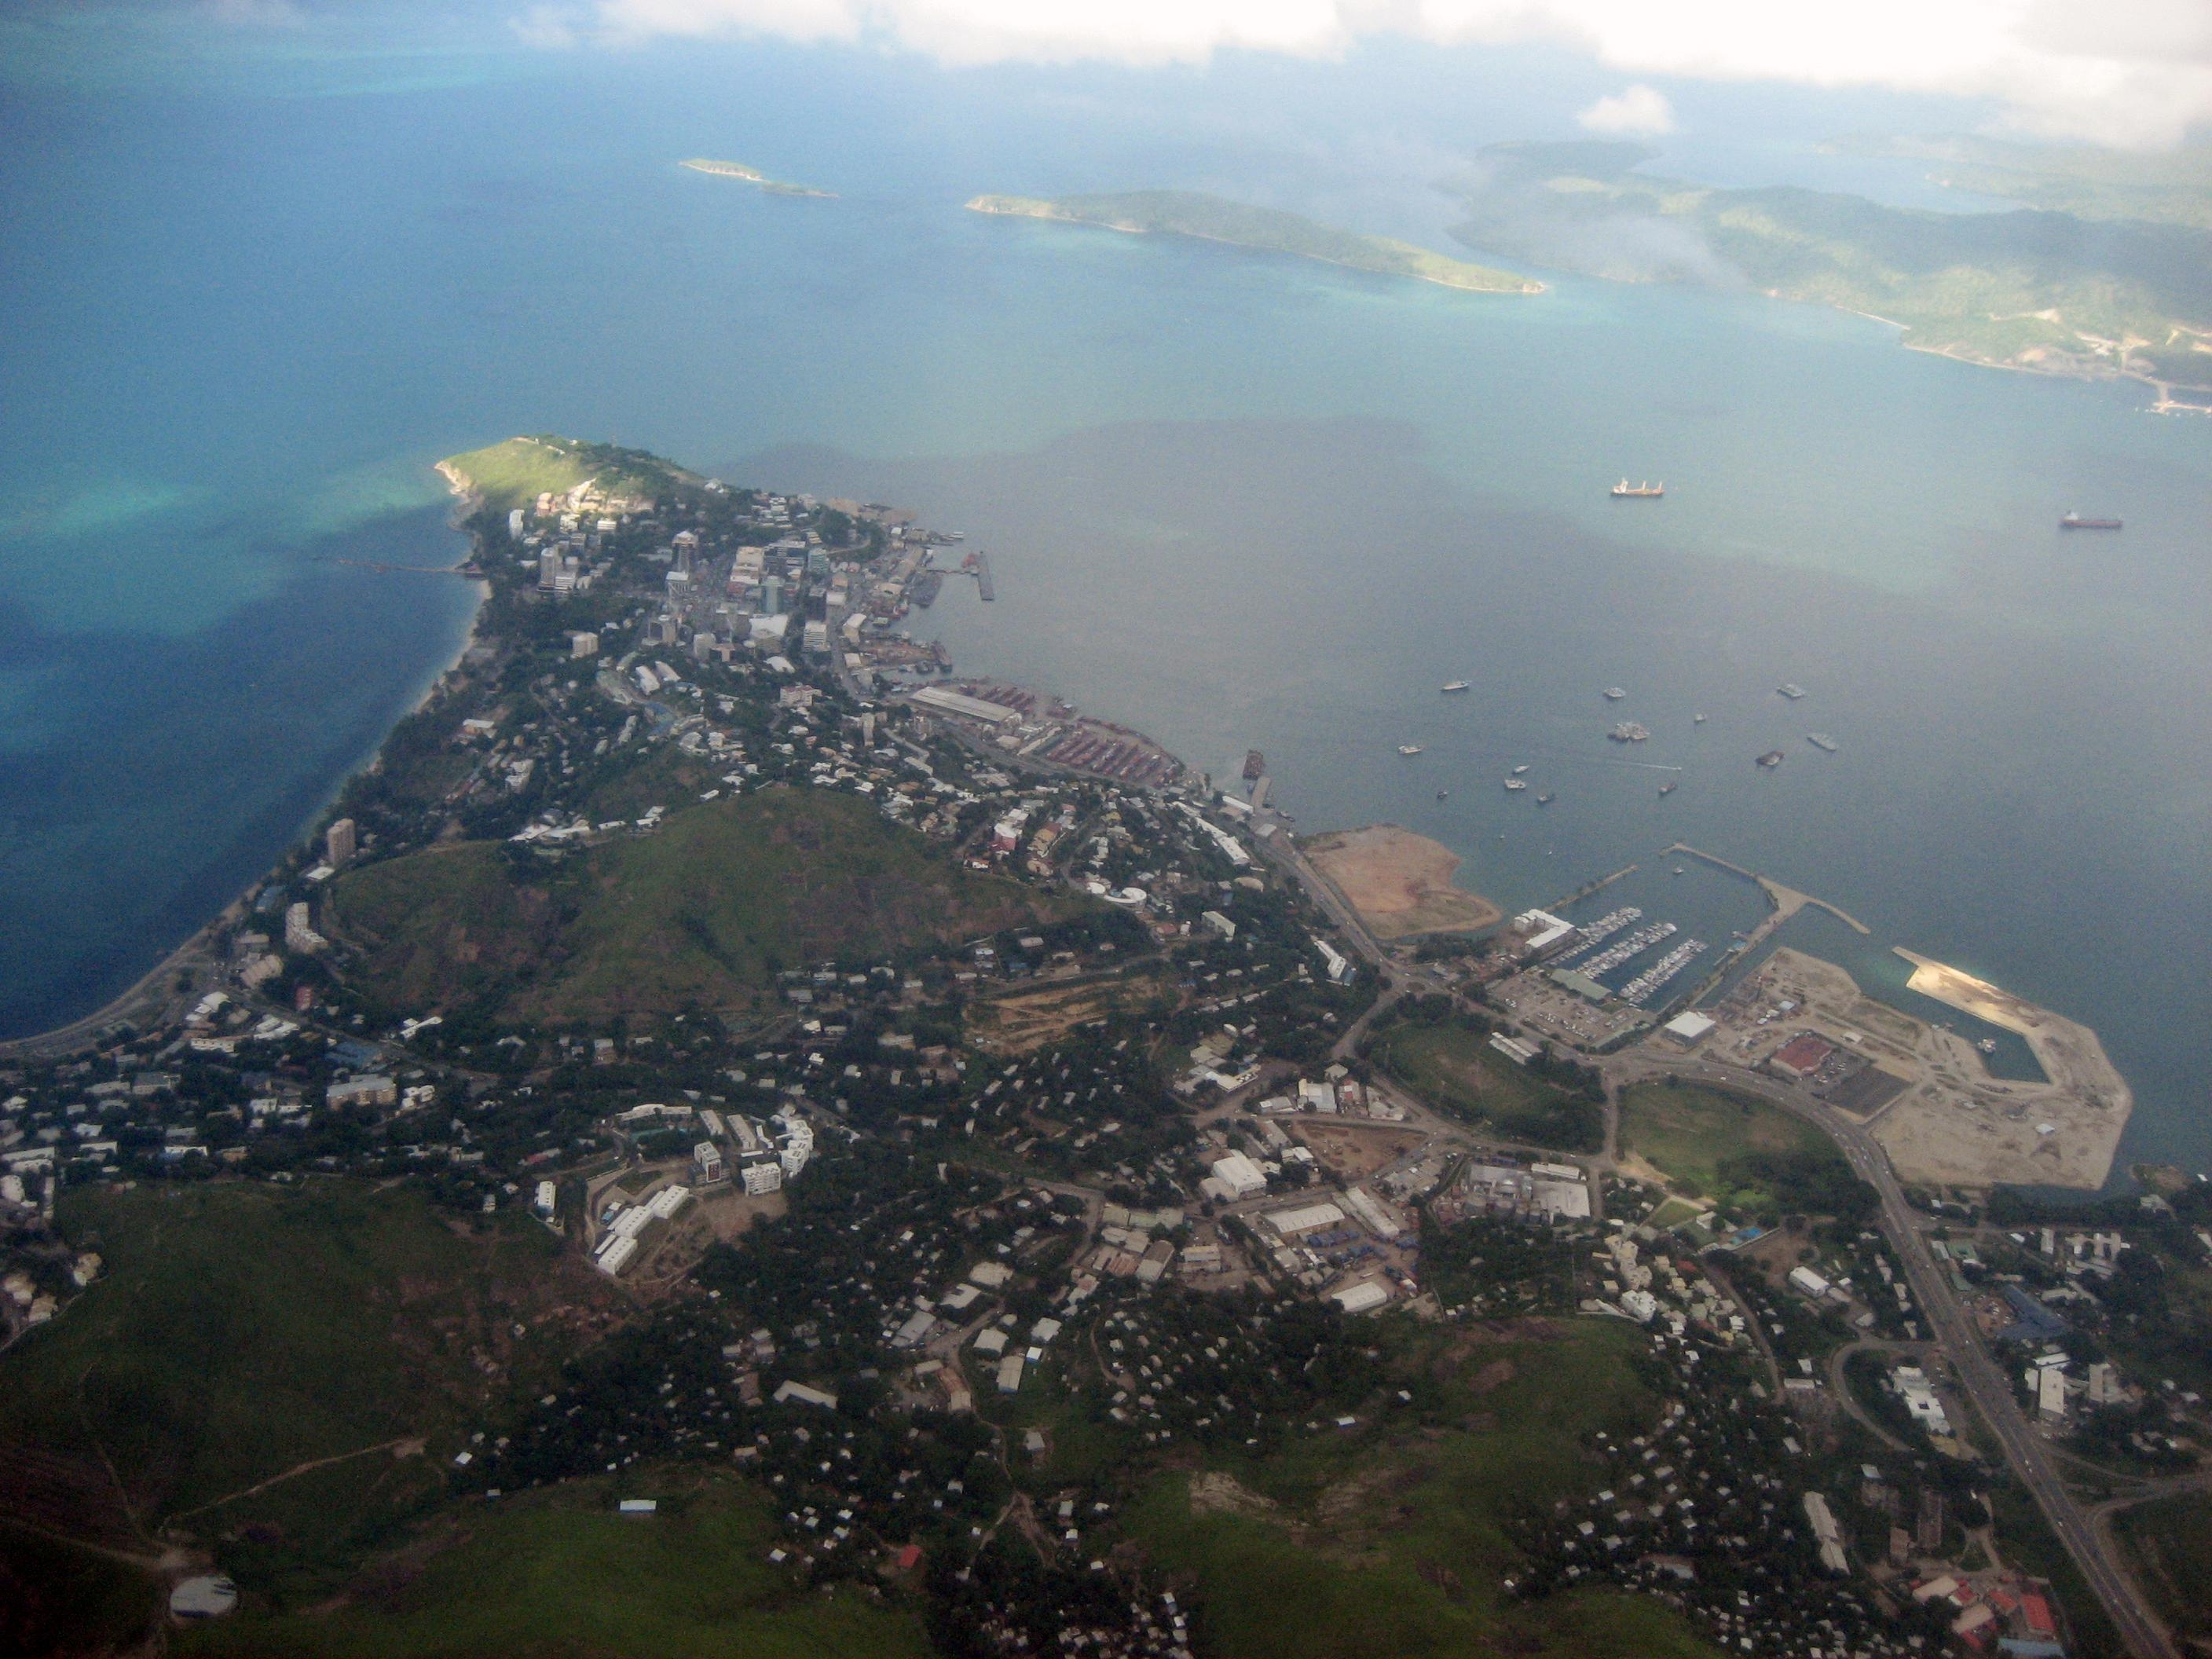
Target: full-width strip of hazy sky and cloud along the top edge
x=2116, y=72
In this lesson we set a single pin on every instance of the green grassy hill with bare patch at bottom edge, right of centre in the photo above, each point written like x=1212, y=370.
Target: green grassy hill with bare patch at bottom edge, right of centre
x=1390, y=1541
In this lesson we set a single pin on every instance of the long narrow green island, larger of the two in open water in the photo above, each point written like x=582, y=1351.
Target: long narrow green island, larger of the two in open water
x=1193, y=213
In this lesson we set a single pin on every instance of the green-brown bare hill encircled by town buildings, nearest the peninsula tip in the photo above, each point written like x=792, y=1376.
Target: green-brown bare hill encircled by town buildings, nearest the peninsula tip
x=702, y=912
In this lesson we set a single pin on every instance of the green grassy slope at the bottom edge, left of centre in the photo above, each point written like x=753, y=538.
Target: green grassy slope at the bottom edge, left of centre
x=563, y=1574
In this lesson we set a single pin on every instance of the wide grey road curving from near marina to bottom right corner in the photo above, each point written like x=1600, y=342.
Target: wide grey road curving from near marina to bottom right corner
x=1979, y=1375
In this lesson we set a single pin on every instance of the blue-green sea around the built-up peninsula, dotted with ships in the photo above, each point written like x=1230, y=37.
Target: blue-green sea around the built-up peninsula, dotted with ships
x=1235, y=501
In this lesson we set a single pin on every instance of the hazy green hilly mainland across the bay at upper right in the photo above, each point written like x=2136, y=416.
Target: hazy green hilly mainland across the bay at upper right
x=2041, y=291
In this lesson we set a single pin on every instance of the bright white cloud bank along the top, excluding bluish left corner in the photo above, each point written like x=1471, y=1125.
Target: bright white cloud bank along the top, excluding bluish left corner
x=2138, y=74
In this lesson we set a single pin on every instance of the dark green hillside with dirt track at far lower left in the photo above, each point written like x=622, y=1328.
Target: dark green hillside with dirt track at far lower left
x=211, y=1375
